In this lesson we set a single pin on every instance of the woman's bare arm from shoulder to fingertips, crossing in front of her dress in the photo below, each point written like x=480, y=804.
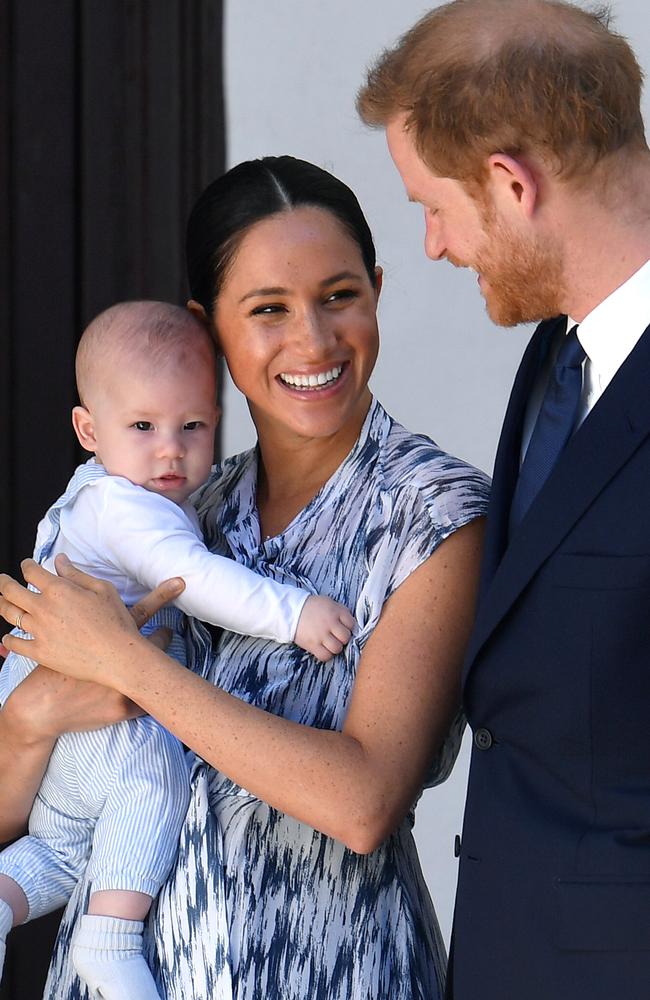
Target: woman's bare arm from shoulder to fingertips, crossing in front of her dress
x=355, y=785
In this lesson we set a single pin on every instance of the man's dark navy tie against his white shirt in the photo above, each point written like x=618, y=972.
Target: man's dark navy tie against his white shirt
x=553, y=427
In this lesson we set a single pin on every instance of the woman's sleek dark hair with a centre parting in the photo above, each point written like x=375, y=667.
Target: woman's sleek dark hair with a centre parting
x=250, y=192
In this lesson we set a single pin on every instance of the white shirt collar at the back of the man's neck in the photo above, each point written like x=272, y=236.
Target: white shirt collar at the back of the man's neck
x=611, y=330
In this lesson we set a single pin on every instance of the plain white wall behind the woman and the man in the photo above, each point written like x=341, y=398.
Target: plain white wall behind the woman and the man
x=292, y=72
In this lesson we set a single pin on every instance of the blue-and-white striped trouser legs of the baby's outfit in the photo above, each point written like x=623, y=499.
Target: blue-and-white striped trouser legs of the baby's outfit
x=113, y=800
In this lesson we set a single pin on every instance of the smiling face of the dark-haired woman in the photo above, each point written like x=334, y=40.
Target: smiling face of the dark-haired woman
x=296, y=321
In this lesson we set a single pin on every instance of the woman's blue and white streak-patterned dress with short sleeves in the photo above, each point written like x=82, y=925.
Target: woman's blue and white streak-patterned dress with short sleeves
x=262, y=906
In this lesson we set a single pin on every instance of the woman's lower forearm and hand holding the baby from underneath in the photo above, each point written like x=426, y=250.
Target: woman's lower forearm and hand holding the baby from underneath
x=45, y=705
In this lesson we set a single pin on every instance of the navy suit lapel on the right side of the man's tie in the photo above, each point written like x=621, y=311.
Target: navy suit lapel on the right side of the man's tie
x=602, y=445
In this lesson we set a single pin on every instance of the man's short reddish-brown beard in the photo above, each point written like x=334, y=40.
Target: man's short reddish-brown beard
x=523, y=278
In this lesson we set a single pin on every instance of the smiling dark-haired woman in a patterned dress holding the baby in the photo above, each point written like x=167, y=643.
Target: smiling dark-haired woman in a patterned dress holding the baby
x=297, y=875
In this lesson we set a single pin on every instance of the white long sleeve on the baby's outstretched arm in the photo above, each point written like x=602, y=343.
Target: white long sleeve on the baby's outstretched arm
x=151, y=539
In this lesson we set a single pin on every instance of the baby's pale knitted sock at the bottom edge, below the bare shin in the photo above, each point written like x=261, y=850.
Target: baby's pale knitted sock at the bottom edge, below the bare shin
x=107, y=955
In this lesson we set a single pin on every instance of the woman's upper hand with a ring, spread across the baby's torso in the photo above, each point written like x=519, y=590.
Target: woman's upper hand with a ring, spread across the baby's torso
x=79, y=624
